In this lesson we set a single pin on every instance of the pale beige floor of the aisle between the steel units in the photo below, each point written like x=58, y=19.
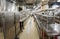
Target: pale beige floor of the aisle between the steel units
x=30, y=30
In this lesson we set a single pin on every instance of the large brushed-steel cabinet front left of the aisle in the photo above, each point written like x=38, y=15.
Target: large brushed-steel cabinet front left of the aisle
x=7, y=23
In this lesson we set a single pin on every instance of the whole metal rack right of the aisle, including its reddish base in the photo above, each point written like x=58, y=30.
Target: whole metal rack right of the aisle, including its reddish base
x=48, y=24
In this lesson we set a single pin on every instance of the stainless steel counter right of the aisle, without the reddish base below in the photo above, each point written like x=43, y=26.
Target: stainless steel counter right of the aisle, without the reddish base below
x=49, y=24
